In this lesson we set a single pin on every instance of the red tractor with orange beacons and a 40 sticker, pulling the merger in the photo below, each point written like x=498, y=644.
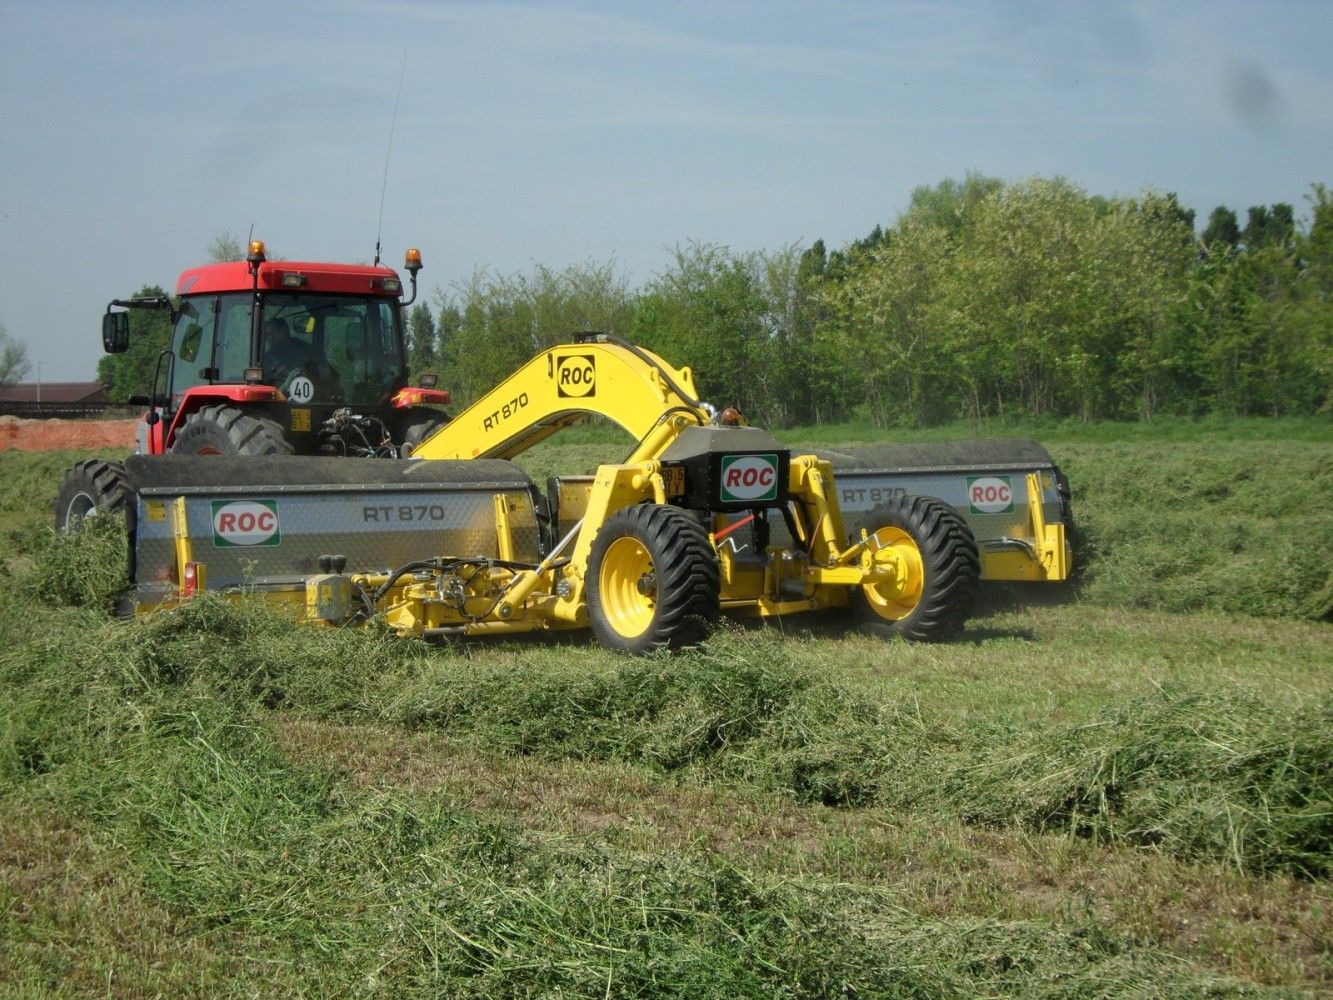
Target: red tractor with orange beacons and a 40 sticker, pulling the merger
x=271, y=358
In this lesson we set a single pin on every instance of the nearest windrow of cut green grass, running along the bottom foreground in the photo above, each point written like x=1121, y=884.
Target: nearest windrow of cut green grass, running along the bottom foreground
x=341, y=891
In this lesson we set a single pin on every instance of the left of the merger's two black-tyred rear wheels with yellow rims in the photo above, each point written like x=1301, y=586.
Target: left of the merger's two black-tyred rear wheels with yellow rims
x=653, y=581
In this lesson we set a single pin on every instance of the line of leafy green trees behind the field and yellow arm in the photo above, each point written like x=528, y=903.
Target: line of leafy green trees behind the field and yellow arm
x=983, y=299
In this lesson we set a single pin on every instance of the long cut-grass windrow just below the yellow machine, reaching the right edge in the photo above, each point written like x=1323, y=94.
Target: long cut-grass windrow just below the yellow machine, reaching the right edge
x=1223, y=775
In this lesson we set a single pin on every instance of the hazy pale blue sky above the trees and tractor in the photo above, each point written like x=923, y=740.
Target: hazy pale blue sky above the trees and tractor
x=558, y=134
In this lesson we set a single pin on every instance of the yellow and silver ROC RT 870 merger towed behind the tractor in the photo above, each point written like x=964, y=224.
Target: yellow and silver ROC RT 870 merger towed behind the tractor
x=706, y=517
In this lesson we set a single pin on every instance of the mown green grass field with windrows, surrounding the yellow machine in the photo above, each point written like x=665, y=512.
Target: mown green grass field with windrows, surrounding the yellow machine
x=1122, y=790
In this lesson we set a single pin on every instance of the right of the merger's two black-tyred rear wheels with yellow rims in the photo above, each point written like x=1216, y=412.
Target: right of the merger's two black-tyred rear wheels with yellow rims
x=939, y=570
